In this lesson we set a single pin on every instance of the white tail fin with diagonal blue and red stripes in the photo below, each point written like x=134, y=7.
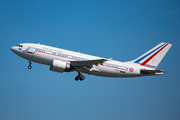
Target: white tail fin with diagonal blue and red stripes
x=154, y=56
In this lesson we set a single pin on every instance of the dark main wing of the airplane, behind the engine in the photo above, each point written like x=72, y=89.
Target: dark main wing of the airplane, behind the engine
x=88, y=63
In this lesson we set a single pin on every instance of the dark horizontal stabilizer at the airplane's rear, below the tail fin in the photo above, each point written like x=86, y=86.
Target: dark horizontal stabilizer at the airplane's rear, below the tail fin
x=152, y=72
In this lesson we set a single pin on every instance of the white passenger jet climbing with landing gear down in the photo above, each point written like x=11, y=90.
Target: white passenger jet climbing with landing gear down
x=61, y=60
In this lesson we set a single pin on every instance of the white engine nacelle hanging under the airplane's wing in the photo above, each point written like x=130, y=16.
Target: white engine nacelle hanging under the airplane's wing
x=60, y=66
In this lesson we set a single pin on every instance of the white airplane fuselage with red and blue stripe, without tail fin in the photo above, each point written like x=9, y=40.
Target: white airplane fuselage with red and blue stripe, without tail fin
x=45, y=55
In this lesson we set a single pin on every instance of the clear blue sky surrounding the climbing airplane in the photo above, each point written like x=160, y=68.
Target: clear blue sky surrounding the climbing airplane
x=122, y=30
